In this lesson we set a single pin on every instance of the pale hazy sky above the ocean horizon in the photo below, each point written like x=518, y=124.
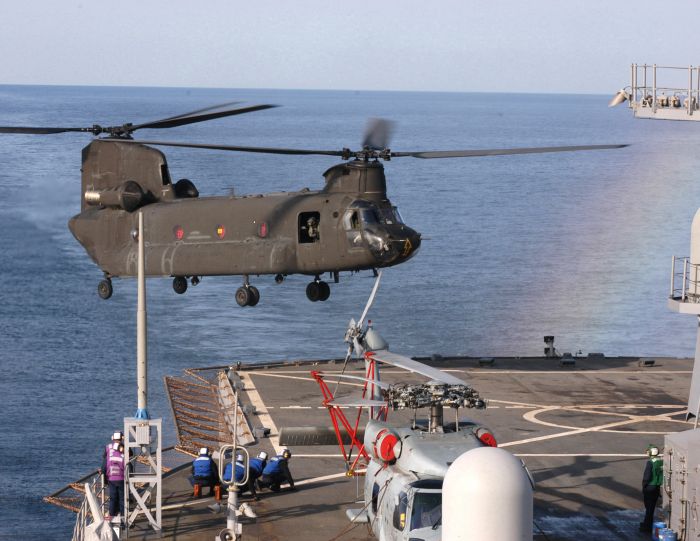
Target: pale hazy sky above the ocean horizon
x=583, y=46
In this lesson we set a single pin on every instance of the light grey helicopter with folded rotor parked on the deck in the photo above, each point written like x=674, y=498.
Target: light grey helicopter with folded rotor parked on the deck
x=404, y=466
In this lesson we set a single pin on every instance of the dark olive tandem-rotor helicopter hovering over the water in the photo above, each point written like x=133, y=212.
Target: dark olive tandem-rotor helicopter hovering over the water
x=348, y=225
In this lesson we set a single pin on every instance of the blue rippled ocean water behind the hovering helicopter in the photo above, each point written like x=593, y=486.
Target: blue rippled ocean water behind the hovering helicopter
x=576, y=245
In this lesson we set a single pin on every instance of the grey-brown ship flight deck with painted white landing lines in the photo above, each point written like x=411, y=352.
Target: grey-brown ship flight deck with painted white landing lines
x=581, y=431
